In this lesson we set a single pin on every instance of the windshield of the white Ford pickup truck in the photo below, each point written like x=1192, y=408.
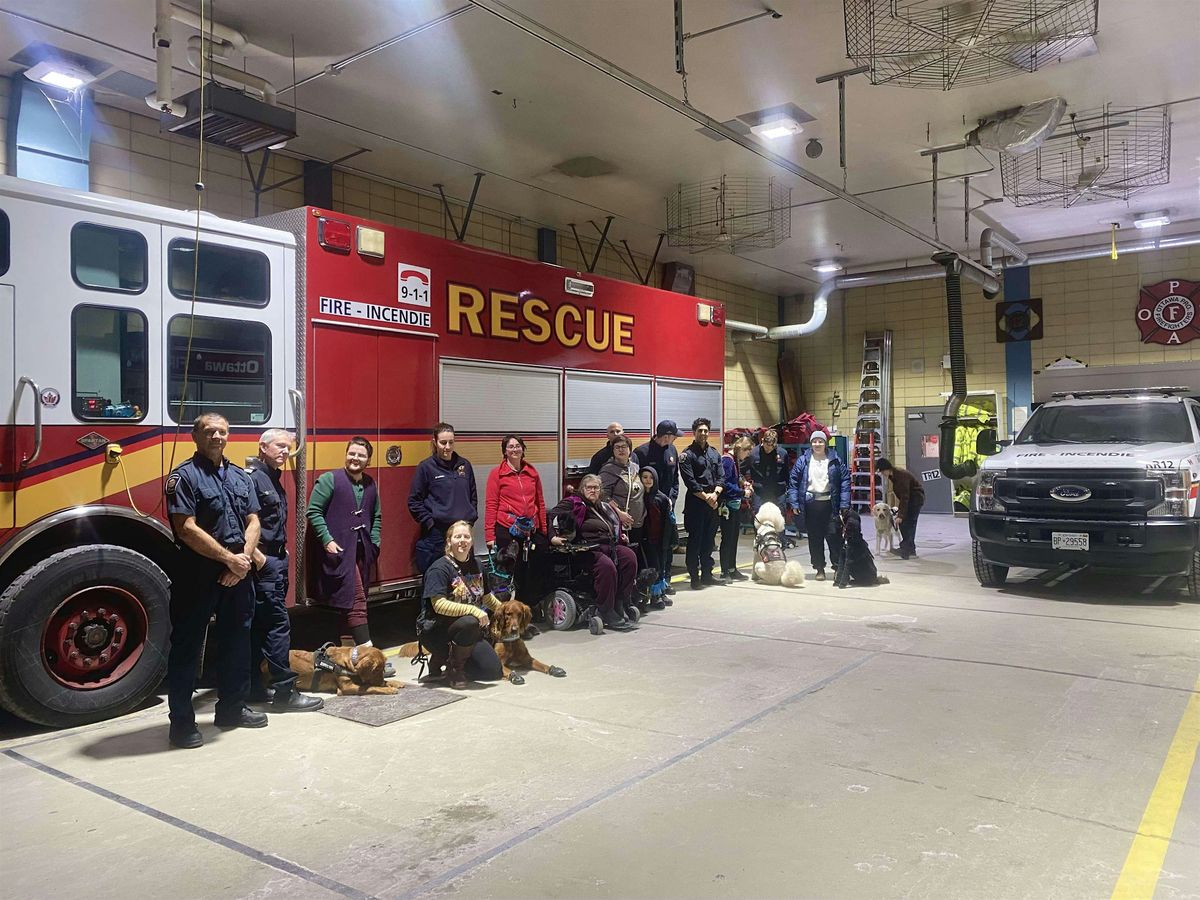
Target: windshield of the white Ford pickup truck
x=1109, y=424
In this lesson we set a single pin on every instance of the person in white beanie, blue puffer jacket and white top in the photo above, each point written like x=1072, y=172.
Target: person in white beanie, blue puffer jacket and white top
x=818, y=490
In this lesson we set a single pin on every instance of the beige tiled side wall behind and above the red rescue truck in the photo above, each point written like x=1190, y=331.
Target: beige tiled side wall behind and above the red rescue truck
x=133, y=160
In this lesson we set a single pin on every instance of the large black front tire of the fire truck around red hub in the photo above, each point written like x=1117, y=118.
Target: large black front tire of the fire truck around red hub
x=28, y=608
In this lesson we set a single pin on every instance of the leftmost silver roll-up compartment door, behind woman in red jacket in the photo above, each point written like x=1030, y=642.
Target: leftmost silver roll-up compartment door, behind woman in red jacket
x=485, y=403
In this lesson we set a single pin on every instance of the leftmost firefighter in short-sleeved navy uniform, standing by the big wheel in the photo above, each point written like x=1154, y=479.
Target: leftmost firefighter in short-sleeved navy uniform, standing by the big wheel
x=214, y=514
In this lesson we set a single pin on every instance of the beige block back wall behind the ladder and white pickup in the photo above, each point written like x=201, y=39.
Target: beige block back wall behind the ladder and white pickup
x=1089, y=309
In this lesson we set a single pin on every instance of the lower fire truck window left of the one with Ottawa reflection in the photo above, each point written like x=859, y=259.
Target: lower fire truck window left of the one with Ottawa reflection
x=110, y=380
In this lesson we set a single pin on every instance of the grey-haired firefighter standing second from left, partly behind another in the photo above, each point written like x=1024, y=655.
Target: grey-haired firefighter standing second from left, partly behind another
x=271, y=633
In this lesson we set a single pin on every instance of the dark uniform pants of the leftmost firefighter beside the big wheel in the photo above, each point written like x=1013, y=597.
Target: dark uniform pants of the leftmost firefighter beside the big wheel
x=195, y=597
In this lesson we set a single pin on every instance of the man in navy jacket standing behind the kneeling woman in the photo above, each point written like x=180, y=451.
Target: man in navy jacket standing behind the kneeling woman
x=443, y=494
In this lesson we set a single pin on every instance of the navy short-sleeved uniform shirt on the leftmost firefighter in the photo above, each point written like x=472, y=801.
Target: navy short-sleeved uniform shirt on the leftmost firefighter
x=219, y=497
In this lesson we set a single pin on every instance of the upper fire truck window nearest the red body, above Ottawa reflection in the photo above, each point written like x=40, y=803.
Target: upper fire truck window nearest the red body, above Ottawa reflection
x=227, y=275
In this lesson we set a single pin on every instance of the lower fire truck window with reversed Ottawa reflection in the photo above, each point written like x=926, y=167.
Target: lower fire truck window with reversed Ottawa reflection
x=229, y=370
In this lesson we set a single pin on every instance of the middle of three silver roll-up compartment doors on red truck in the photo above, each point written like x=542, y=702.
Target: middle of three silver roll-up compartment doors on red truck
x=595, y=400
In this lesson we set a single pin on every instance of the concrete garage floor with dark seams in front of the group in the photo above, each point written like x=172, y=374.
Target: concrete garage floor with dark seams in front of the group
x=927, y=739
